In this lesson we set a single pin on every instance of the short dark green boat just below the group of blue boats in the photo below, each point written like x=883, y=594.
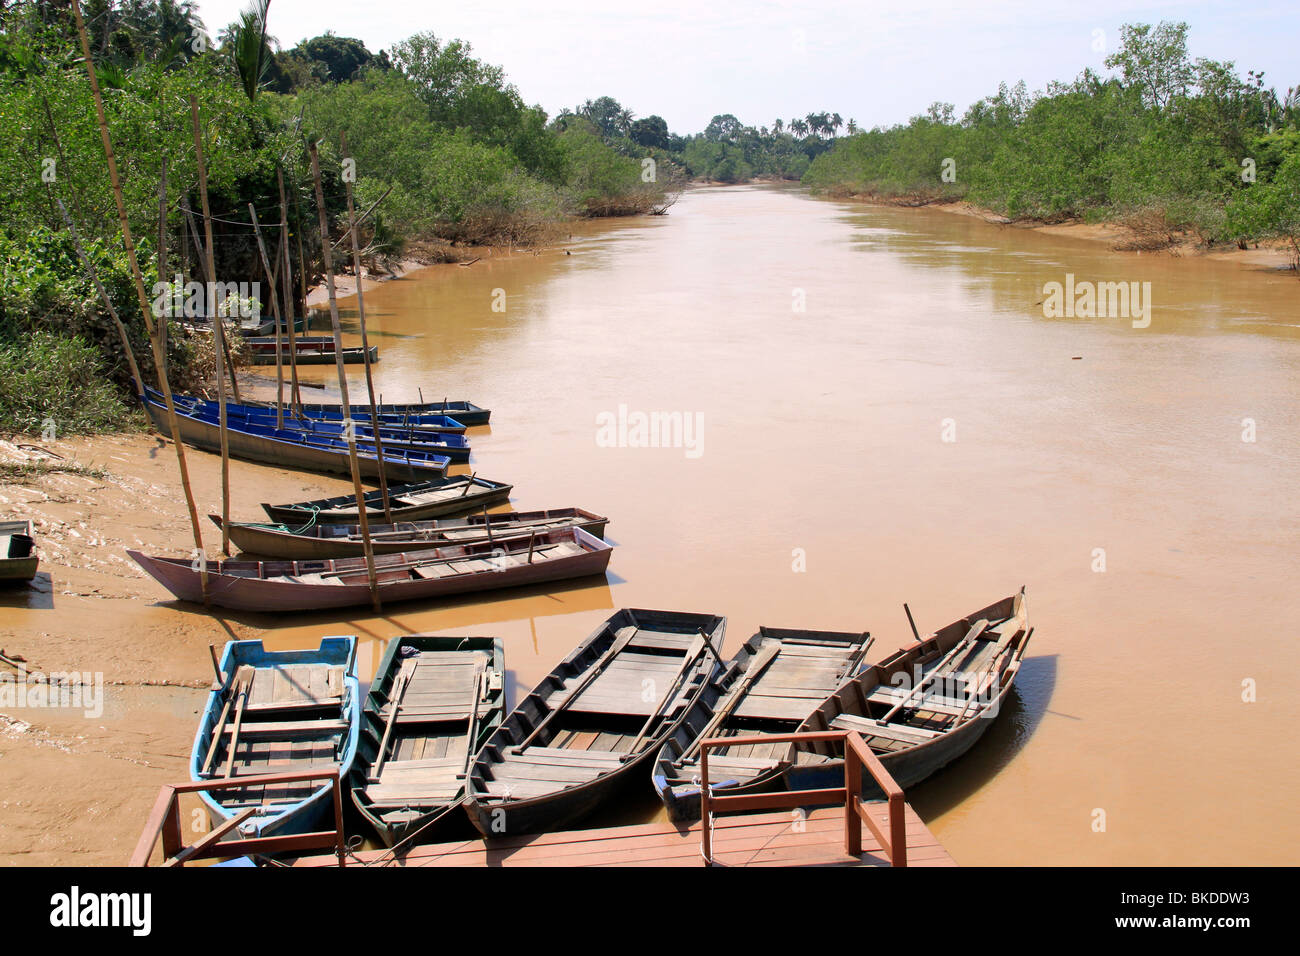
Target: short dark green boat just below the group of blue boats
x=443, y=498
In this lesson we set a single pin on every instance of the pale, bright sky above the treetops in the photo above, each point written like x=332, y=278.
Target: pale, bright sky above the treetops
x=879, y=63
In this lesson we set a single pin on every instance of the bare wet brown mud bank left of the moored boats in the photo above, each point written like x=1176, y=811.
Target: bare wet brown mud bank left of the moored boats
x=76, y=785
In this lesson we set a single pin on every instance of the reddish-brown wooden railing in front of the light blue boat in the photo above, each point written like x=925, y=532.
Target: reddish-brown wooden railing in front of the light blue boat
x=166, y=823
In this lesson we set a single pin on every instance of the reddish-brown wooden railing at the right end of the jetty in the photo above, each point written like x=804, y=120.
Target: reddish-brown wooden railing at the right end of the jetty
x=857, y=756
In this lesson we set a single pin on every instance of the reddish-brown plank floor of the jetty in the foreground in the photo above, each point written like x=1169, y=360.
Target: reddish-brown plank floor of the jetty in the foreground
x=762, y=840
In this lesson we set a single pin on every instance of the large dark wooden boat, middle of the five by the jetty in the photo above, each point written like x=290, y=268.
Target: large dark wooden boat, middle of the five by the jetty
x=595, y=724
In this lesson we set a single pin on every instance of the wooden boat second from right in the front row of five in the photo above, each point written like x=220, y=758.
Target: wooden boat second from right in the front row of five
x=770, y=686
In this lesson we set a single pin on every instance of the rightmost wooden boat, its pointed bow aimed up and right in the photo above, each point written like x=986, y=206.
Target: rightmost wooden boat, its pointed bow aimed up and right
x=925, y=706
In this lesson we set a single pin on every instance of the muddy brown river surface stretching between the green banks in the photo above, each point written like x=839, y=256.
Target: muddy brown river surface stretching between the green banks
x=882, y=413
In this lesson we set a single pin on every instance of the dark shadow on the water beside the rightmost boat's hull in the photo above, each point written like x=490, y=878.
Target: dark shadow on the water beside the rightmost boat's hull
x=1025, y=708
